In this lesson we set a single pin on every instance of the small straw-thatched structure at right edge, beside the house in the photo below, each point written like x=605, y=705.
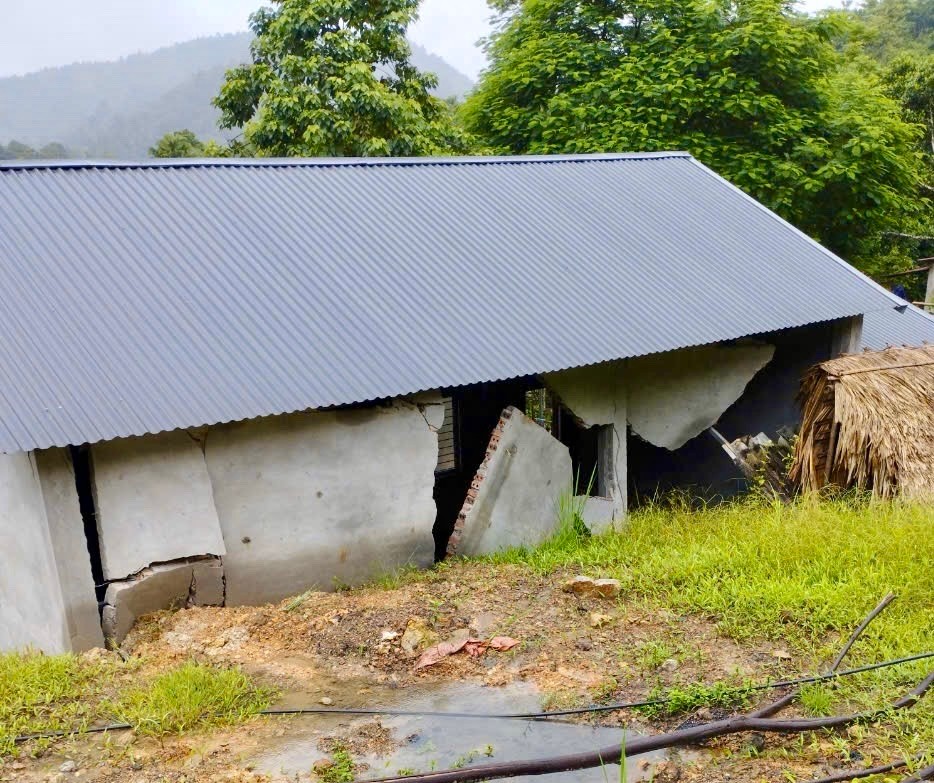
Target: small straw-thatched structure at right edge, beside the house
x=869, y=423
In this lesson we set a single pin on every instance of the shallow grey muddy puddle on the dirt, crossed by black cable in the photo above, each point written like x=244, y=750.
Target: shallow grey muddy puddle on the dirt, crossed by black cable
x=421, y=744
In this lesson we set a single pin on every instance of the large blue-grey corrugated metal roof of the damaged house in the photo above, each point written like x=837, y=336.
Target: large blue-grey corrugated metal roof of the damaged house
x=143, y=297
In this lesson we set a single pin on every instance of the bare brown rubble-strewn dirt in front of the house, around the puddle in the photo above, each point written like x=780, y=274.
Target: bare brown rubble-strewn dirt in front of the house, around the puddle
x=346, y=650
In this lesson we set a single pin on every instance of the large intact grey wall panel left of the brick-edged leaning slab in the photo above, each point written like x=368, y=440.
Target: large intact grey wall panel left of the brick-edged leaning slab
x=323, y=498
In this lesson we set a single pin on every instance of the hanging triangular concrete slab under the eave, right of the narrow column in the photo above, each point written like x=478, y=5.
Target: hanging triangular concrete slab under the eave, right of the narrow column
x=675, y=396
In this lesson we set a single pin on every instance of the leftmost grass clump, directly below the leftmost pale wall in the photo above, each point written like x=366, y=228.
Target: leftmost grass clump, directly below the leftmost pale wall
x=40, y=693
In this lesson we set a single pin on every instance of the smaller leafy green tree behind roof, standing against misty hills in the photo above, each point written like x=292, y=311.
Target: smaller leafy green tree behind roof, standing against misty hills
x=334, y=78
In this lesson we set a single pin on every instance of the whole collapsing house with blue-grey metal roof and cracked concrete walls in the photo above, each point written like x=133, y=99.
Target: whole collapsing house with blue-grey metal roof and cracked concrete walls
x=229, y=381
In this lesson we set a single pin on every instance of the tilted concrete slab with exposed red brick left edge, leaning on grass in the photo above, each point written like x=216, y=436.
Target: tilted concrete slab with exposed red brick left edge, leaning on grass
x=513, y=500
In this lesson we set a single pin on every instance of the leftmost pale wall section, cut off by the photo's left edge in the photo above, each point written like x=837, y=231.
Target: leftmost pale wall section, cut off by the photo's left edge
x=32, y=612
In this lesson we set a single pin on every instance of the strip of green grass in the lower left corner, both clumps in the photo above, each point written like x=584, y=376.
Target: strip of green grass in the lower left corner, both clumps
x=40, y=693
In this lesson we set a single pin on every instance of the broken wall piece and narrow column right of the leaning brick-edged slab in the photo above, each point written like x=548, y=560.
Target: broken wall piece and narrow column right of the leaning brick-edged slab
x=597, y=396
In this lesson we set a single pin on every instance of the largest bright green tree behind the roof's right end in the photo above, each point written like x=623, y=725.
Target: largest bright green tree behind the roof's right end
x=753, y=90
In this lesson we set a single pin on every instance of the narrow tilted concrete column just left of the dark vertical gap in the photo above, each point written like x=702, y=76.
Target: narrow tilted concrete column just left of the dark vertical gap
x=72, y=559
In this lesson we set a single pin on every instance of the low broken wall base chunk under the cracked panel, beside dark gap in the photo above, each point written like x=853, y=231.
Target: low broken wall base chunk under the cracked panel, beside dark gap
x=168, y=586
